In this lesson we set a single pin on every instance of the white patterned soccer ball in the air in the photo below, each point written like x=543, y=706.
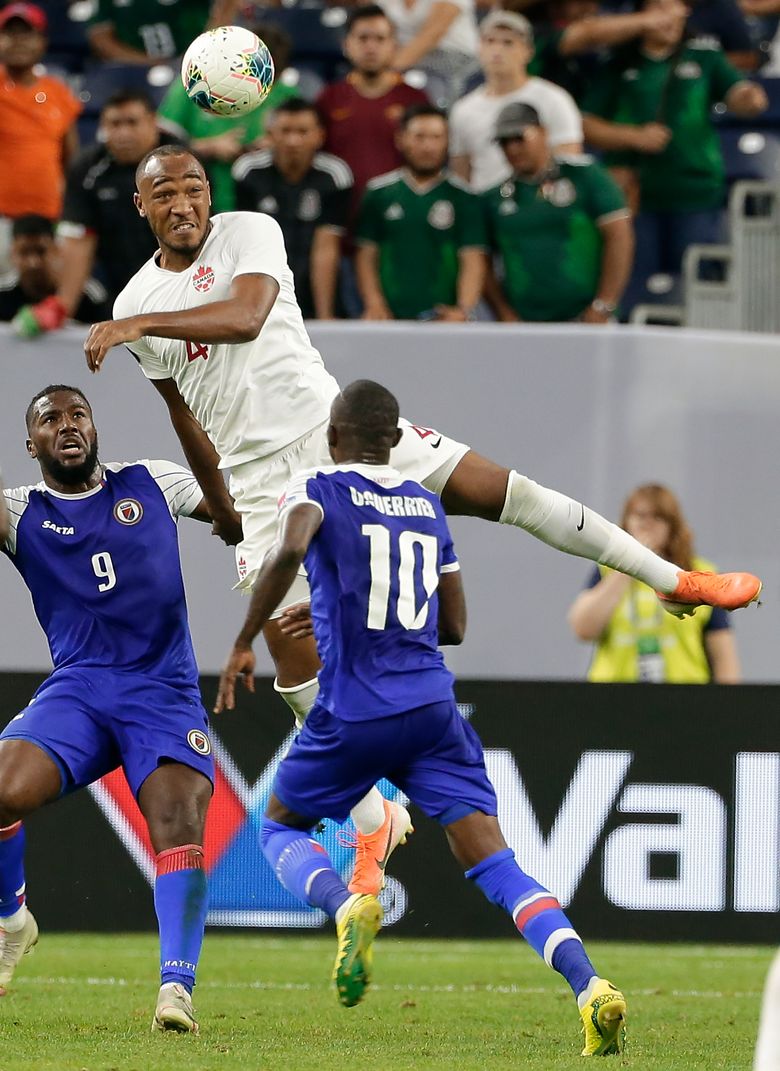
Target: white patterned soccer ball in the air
x=228, y=71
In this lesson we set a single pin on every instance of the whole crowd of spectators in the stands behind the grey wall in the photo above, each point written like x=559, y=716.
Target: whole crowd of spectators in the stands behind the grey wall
x=441, y=160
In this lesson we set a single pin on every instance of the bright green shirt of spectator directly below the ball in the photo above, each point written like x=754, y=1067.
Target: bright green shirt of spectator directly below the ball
x=190, y=123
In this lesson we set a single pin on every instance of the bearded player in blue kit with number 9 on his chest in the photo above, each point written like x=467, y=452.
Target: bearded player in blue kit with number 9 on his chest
x=97, y=546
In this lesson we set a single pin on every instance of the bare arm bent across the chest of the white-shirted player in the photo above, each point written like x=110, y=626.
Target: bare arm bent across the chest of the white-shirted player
x=238, y=319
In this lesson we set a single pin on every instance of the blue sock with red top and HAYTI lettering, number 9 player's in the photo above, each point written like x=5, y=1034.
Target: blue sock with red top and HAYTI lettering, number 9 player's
x=182, y=900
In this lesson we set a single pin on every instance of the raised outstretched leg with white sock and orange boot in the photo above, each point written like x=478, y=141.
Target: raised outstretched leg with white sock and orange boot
x=482, y=489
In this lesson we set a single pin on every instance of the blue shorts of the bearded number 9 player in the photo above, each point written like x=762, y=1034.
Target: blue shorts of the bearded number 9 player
x=92, y=721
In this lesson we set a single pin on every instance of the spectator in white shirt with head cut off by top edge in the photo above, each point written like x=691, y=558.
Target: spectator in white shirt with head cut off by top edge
x=438, y=37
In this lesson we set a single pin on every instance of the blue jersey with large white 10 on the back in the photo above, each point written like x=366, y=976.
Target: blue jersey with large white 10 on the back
x=374, y=569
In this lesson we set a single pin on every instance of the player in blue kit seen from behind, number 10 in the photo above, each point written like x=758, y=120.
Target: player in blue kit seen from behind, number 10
x=386, y=591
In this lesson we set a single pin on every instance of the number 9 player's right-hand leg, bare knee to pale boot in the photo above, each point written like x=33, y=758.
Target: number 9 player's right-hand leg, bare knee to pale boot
x=174, y=801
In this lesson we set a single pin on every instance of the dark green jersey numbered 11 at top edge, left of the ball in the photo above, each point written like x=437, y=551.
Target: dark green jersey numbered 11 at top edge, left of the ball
x=161, y=28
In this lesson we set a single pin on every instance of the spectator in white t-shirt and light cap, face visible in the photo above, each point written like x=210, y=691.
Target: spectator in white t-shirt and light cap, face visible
x=506, y=51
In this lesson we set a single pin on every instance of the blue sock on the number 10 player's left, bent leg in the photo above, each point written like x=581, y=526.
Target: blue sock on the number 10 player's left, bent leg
x=304, y=867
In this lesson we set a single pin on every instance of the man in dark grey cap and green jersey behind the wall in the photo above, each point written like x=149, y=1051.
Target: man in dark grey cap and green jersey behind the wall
x=560, y=229
